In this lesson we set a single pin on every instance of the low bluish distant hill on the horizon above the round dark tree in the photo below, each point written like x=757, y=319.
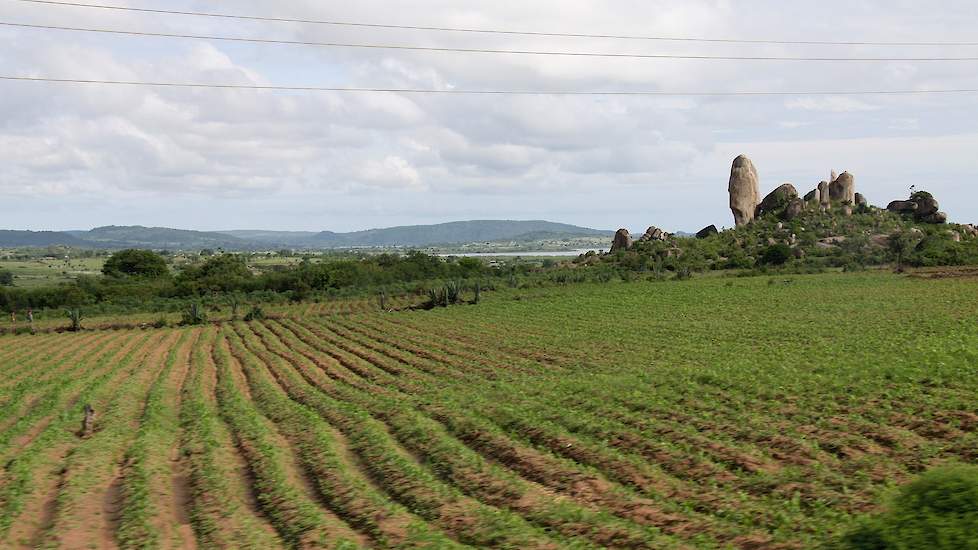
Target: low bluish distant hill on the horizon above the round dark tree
x=137, y=236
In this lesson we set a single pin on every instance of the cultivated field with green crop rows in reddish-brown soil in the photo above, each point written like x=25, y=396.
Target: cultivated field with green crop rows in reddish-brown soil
x=752, y=413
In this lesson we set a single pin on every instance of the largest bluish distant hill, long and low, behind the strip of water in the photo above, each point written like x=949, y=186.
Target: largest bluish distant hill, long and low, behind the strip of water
x=455, y=233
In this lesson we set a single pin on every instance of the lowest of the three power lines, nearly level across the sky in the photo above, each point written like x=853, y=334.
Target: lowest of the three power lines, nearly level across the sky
x=449, y=91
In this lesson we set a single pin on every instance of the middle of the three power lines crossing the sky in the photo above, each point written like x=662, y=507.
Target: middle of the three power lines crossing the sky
x=479, y=50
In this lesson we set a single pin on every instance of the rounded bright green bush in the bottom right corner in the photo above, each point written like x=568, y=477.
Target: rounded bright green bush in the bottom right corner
x=937, y=511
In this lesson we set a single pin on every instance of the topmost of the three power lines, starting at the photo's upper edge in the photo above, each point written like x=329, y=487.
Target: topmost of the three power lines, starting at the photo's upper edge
x=497, y=31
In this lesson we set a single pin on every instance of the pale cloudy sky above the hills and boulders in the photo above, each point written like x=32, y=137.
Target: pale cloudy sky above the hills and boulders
x=77, y=156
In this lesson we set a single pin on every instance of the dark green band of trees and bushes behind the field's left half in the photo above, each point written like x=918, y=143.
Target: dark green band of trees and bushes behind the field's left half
x=141, y=279
